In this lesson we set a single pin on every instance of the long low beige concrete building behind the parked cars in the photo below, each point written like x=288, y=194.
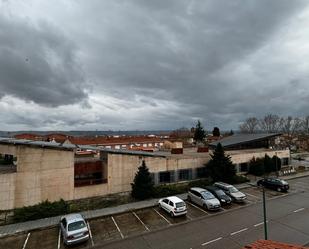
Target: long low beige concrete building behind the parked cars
x=49, y=170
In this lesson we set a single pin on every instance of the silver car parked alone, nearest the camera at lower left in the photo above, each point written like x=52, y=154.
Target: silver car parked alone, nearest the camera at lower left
x=74, y=229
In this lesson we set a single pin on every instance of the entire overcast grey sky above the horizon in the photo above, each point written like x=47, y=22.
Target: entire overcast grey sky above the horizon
x=140, y=64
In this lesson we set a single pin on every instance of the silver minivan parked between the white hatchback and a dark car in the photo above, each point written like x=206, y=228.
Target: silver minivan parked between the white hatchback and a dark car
x=203, y=198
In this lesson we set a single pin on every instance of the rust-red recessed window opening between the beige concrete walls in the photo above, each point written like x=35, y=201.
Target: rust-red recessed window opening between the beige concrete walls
x=89, y=173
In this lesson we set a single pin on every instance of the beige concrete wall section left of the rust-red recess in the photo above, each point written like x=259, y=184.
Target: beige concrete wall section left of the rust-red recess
x=41, y=174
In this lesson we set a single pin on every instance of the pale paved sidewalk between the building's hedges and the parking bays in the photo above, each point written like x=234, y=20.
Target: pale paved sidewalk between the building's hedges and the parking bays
x=53, y=221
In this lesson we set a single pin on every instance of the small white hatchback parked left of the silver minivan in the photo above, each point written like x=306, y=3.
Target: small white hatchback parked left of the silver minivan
x=173, y=205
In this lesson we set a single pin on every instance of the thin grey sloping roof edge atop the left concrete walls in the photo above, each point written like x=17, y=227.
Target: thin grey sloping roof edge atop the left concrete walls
x=73, y=147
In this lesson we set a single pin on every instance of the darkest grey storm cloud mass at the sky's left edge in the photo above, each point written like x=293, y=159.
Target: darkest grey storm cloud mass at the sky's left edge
x=37, y=63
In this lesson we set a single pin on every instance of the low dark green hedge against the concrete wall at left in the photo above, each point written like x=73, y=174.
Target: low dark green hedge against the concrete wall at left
x=42, y=210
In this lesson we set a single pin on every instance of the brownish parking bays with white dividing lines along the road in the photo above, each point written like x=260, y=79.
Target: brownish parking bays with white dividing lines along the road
x=119, y=226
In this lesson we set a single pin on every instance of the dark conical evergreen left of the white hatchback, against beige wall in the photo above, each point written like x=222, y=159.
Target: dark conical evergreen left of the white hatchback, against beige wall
x=142, y=187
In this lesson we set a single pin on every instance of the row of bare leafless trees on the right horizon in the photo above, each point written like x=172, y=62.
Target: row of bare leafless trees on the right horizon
x=272, y=123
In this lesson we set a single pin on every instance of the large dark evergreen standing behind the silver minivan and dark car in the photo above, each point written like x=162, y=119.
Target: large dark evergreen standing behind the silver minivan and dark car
x=220, y=166
